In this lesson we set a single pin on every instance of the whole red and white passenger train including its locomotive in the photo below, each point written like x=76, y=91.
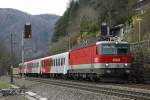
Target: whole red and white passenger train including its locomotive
x=102, y=60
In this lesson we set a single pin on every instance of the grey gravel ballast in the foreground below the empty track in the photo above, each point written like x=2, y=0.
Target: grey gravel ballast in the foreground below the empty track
x=53, y=92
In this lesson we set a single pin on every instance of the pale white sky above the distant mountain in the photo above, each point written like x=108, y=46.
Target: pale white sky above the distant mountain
x=35, y=7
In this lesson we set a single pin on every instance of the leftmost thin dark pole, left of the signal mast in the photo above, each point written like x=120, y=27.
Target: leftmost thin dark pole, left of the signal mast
x=11, y=67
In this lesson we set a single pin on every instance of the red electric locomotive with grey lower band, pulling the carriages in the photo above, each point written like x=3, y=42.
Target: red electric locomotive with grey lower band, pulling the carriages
x=105, y=59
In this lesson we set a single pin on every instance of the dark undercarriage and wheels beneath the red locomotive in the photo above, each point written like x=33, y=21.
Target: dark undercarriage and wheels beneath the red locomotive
x=111, y=74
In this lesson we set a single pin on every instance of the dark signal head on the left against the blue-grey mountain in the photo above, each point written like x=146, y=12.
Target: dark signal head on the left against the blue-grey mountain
x=27, y=30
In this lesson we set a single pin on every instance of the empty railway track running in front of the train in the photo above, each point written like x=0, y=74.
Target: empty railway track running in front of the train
x=140, y=94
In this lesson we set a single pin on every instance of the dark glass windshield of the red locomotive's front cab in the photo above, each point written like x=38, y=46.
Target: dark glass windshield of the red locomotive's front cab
x=111, y=49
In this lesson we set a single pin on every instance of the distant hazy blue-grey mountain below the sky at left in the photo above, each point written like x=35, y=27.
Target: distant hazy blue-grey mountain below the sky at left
x=13, y=21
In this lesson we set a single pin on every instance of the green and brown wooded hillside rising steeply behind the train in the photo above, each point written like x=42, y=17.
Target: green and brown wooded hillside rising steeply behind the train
x=83, y=18
